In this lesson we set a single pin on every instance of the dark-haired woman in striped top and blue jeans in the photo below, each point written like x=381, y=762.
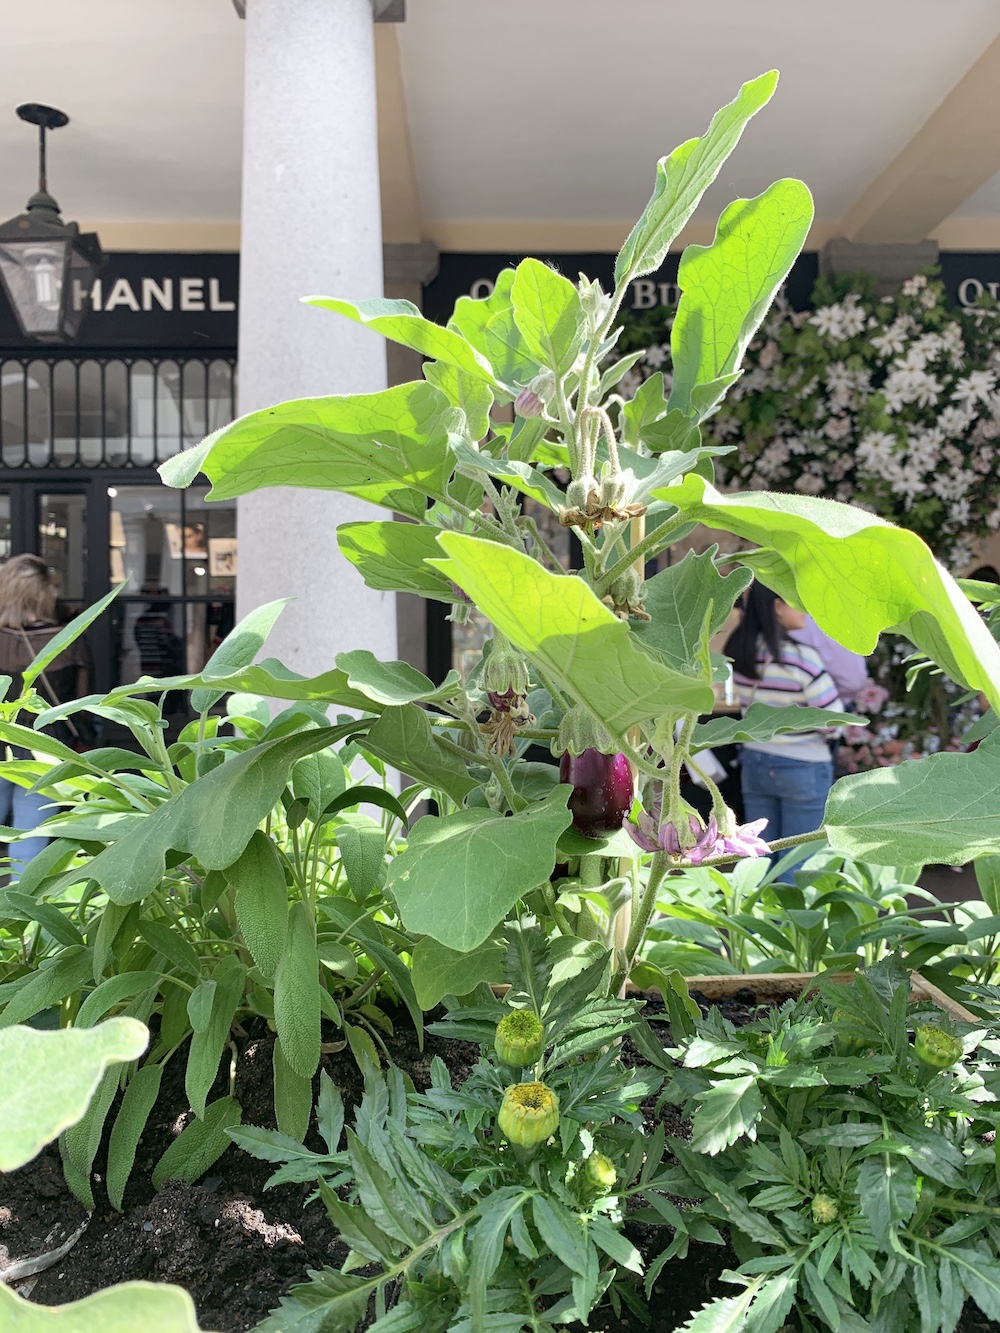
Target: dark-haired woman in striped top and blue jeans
x=785, y=780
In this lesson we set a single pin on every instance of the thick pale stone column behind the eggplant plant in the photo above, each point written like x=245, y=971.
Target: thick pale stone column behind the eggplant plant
x=311, y=226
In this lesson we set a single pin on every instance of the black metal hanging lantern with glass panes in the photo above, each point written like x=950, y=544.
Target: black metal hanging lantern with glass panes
x=46, y=266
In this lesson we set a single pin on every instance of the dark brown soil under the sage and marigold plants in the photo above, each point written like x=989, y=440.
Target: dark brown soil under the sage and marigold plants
x=238, y=1248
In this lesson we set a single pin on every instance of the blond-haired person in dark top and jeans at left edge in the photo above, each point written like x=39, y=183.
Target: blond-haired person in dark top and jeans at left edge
x=27, y=623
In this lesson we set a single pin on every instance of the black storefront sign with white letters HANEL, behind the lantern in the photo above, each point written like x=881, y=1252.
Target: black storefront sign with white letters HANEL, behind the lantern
x=154, y=301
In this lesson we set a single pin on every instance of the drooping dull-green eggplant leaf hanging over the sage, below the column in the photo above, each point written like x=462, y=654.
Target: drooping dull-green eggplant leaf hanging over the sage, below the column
x=213, y=819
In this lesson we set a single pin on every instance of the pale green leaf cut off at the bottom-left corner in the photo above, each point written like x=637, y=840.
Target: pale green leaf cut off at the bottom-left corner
x=127, y=1308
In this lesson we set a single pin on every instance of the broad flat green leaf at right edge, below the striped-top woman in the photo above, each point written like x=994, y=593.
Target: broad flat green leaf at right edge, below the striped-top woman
x=939, y=810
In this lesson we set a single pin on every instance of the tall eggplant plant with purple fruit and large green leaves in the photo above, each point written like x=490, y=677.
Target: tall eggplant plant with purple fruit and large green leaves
x=599, y=659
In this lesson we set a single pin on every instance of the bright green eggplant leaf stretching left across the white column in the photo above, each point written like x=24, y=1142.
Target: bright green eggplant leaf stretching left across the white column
x=390, y=449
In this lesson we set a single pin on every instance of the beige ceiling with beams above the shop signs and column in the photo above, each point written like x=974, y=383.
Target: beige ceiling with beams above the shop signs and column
x=525, y=123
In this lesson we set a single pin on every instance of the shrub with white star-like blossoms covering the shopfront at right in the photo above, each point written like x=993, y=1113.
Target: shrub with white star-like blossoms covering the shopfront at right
x=889, y=403
